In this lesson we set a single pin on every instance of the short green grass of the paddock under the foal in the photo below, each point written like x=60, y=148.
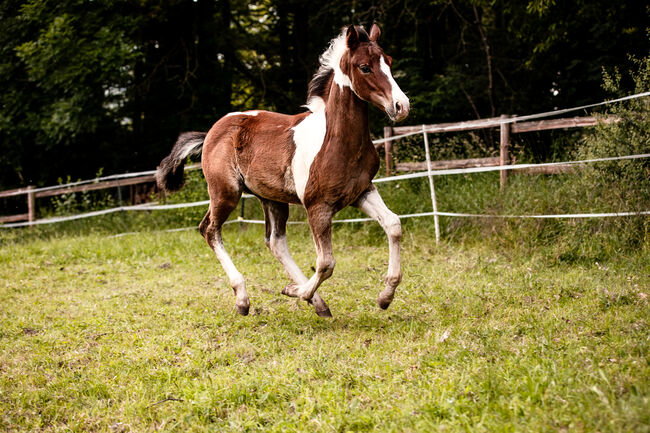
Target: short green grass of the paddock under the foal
x=139, y=333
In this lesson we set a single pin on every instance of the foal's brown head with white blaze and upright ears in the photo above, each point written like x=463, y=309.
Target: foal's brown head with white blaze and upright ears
x=367, y=70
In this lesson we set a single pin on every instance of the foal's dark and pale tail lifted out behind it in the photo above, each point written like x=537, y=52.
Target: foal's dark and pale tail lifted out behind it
x=170, y=172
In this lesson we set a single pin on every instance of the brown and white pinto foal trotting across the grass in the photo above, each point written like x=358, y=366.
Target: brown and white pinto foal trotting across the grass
x=322, y=159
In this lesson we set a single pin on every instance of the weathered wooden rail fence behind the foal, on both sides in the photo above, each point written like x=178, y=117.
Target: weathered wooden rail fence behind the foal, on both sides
x=506, y=129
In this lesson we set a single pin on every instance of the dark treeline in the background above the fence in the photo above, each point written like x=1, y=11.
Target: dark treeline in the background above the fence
x=109, y=84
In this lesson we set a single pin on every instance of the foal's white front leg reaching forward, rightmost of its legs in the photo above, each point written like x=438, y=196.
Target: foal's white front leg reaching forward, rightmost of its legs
x=371, y=204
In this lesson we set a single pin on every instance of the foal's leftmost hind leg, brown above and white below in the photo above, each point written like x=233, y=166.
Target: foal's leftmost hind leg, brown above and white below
x=220, y=207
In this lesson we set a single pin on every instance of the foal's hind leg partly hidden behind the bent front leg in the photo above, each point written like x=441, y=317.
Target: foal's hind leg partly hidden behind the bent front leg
x=276, y=215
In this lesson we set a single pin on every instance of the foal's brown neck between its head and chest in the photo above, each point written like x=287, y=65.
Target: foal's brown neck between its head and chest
x=347, y=121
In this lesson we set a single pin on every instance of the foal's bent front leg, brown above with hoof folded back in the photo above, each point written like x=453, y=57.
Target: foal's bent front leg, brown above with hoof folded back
x=320, y=222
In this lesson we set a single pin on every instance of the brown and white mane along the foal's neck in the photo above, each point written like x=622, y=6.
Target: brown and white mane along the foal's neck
x=329, y=61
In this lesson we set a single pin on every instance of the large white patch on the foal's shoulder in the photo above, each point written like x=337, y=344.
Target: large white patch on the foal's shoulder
x=308, y=136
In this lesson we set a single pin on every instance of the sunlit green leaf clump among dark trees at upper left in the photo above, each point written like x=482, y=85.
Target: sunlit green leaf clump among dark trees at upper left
x=78, y=63
